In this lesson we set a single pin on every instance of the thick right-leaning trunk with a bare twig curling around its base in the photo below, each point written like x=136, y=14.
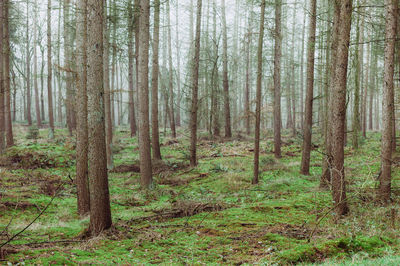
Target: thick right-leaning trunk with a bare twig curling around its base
x=338, y=109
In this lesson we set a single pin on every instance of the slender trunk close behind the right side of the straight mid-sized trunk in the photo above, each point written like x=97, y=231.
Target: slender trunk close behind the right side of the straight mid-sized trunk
x=155, y=138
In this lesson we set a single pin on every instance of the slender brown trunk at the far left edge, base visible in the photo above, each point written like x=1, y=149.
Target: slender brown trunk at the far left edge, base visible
x=7, y=81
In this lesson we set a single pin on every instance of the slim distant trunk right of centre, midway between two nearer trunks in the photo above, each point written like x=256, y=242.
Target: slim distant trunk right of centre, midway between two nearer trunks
x=228, y=130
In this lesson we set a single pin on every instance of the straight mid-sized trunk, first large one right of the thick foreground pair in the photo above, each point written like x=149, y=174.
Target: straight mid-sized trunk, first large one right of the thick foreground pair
x=146, y=178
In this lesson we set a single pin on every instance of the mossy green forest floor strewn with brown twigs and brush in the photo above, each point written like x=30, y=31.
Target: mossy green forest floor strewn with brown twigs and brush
x=210, y=214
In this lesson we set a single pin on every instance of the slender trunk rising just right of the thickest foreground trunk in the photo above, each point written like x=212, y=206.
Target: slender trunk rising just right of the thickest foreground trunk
x=107, y=90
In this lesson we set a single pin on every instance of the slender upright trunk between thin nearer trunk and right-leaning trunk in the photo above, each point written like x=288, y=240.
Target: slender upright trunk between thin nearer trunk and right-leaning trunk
x=277, y=79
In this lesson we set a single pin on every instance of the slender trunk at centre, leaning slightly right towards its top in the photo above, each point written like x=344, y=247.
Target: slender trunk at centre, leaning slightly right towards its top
x=195, y=88
